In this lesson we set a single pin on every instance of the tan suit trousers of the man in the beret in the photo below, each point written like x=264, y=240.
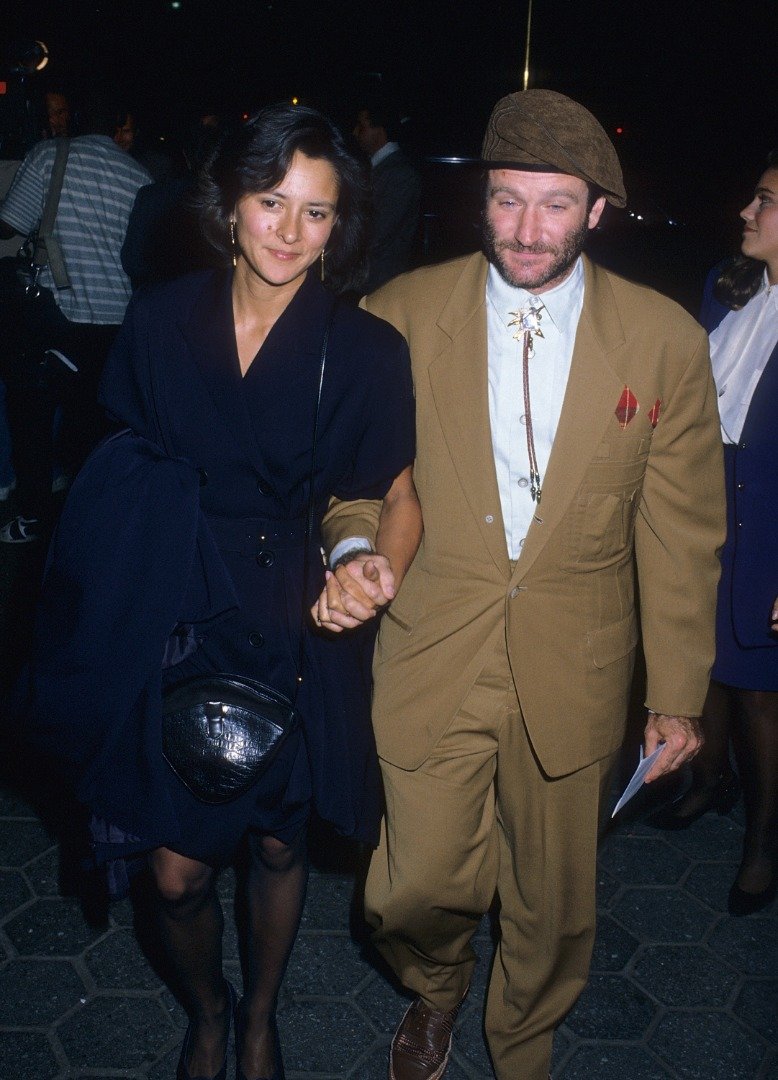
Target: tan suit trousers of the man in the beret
x=480, y=817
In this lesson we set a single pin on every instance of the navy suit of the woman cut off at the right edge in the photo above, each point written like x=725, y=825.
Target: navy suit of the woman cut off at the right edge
x=747, y=649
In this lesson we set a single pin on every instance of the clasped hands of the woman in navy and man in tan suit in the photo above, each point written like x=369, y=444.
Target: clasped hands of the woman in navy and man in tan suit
x=355, y=592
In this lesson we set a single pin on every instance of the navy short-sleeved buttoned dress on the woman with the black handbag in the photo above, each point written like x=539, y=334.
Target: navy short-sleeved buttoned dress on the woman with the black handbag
x=175, y=380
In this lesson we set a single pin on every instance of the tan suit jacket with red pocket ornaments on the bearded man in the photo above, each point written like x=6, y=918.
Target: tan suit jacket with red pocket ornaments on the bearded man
x=645, y=497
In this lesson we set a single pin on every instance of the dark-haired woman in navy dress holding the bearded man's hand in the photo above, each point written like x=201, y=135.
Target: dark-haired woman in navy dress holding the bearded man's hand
x=217, y=375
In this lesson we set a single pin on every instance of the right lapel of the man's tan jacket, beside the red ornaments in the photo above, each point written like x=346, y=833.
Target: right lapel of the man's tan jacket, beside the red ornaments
x=593, y=394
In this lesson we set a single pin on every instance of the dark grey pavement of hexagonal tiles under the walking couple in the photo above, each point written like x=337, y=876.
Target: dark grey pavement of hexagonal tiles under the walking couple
x=679, y=989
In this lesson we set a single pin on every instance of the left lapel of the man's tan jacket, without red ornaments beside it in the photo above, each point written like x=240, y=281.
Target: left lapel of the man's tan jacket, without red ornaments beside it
x=459, y=379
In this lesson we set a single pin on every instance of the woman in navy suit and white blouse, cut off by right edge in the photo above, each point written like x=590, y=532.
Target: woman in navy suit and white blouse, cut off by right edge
x=742, y=313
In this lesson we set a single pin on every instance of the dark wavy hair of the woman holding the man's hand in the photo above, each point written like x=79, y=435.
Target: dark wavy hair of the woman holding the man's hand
x=258, y=156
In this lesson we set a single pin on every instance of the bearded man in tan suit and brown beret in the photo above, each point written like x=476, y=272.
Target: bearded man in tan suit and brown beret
x=569, y=453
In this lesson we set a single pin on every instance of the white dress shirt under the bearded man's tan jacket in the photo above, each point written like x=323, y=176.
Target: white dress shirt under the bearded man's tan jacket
x=549, y=369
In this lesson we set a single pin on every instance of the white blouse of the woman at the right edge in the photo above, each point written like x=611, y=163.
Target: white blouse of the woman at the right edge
x=741, y=347
